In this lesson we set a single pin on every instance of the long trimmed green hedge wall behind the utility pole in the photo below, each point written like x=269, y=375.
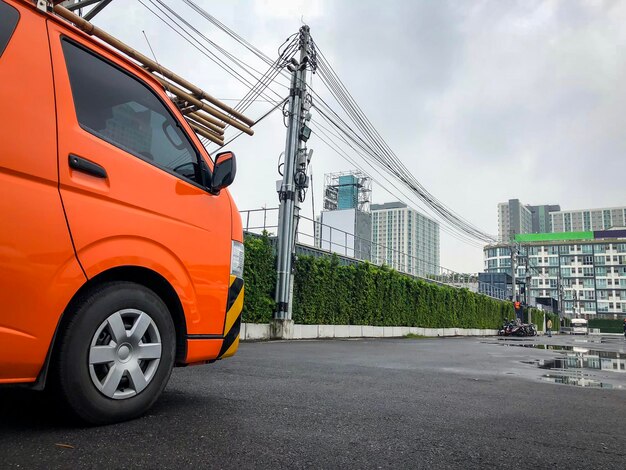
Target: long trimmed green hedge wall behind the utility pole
x=327, y=293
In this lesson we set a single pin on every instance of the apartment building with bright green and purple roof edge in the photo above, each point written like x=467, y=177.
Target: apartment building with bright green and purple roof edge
x=584, y=271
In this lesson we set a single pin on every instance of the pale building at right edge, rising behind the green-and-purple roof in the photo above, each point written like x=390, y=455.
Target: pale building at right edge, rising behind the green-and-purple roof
x=588, y=219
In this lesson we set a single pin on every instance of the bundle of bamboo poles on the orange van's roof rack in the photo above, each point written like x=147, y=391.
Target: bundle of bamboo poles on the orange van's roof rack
x=206, y=115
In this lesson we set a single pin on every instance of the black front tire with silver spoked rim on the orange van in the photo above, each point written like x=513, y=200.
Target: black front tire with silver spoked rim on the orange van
x=77, y=380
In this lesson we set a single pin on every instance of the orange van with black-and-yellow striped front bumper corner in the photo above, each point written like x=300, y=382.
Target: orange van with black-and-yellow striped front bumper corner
x=121, y=251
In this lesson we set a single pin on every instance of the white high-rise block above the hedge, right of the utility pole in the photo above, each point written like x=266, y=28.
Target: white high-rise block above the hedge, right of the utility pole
x=404, y=239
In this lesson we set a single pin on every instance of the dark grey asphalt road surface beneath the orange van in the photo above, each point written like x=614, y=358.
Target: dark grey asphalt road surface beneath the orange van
x=403, y=403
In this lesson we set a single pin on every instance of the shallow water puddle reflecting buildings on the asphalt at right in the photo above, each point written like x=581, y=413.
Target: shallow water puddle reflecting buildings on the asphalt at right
x=579, y=366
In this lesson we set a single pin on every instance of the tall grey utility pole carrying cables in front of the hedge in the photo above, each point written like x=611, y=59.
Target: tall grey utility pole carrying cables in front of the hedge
x=294, y=180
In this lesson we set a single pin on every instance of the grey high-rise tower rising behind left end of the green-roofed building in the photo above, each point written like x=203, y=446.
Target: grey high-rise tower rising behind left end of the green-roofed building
x=516, y=218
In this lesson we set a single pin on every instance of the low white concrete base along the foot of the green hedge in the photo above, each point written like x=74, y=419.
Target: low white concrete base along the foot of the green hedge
x=261, y=331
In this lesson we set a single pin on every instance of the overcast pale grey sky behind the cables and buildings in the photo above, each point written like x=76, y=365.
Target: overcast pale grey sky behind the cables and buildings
x=483, y=101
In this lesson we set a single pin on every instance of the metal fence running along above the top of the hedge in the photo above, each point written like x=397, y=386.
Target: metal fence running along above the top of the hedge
x=317, y=239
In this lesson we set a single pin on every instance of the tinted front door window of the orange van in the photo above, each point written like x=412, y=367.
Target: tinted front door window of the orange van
x=120, y=109
